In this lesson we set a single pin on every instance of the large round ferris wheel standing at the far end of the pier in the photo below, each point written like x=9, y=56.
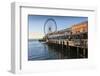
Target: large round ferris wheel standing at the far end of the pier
x=50, y=26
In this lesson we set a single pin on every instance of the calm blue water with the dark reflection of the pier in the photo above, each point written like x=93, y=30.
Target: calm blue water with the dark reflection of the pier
x=42, y=51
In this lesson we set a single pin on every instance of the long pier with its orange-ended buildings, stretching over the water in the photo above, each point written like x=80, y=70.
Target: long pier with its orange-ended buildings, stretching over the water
x=74, y=37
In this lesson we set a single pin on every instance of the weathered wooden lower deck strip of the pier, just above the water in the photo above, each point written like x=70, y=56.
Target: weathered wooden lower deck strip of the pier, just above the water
x=75, y=43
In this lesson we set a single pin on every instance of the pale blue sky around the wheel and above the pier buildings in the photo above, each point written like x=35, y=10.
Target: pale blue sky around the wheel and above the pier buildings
x=36, y=23
